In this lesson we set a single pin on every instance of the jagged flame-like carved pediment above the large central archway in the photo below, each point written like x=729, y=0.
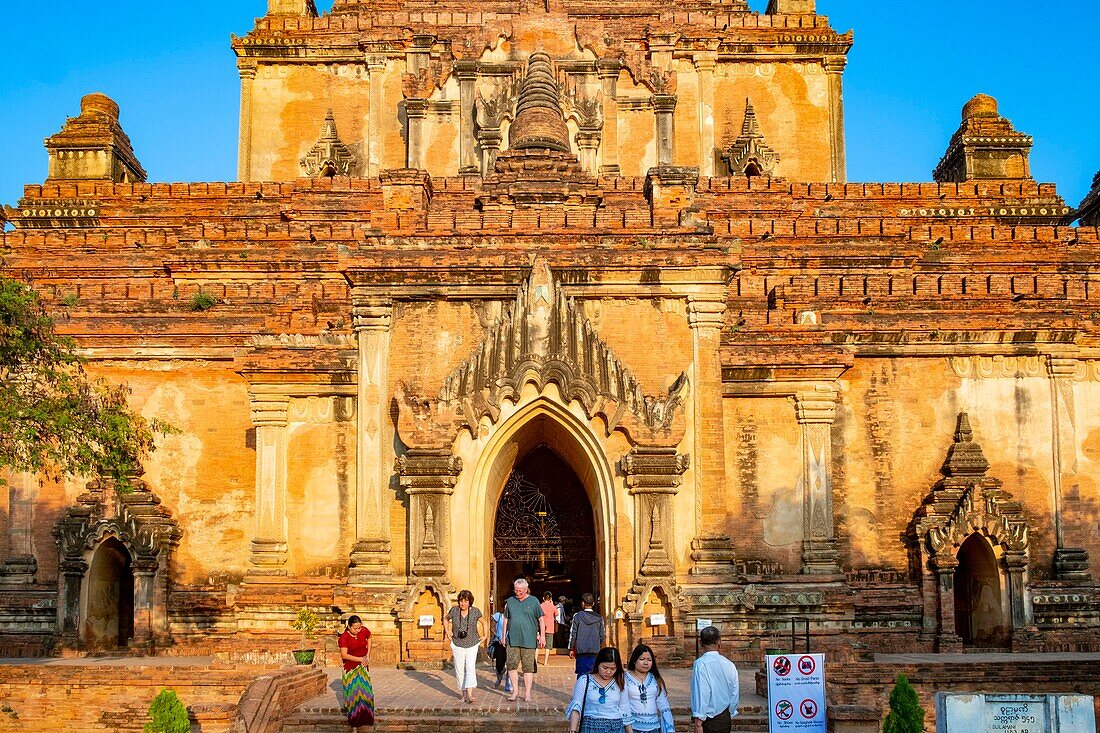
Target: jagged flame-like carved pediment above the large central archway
x=543, y=337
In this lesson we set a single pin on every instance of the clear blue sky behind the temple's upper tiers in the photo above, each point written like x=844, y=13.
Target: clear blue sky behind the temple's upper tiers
x=915, y=65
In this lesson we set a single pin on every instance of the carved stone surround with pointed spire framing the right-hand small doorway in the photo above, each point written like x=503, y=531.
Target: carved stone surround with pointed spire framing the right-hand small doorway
x=967, y=502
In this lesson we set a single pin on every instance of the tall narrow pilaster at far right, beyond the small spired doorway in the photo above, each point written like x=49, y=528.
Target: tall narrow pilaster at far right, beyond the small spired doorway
x=1071, y=564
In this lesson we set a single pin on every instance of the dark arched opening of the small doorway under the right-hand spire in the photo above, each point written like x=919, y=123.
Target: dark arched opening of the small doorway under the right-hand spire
x=980, y=612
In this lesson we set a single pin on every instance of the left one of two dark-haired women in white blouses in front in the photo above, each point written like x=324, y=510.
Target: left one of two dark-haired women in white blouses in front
x=600, y=703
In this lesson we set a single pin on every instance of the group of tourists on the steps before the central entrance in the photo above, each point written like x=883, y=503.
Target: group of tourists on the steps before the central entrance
x=608, y=697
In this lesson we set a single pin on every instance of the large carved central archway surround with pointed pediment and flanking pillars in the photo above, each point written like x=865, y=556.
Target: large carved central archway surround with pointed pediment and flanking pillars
x=542, y=367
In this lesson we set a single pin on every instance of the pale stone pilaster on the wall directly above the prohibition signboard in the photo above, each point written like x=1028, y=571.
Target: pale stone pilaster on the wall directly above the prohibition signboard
x=817, y=411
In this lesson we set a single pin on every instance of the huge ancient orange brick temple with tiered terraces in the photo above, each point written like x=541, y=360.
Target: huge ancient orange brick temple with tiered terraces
x=578, y=292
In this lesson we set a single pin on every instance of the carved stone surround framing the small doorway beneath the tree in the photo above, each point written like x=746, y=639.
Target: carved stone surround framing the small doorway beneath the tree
x=145, y=529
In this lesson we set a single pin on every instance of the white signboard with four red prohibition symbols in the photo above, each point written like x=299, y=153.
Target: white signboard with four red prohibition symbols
x=797, y=693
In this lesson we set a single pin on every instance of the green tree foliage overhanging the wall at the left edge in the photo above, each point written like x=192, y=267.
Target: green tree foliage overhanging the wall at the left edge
x=54, y=418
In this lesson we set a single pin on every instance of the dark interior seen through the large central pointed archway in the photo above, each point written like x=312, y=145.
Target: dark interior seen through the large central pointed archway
x=545, y=532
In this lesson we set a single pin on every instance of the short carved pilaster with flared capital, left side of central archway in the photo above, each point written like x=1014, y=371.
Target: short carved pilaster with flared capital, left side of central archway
x=428, y=477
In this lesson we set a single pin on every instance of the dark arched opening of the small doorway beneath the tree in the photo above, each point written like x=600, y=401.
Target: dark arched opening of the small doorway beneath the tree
x=109, y=620
